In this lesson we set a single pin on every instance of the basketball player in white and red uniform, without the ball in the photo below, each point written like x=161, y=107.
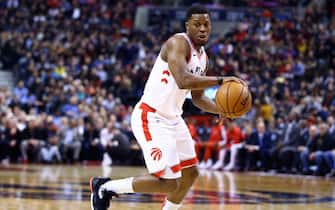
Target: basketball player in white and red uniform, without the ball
x=156, y=121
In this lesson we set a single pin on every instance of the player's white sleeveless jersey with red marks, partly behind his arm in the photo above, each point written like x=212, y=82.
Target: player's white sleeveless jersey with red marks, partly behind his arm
x=161, y=90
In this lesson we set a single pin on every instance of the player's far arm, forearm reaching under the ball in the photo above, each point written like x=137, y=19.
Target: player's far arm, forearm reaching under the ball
x=203, y=102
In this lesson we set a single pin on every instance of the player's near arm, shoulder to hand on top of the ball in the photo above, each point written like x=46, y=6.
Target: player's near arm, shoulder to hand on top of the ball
x=175, y=52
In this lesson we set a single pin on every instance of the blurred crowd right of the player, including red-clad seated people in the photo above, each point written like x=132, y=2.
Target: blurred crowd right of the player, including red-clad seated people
x=289, y=64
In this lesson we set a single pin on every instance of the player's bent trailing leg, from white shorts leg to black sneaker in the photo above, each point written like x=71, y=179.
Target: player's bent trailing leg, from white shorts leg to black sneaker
x=161, y=158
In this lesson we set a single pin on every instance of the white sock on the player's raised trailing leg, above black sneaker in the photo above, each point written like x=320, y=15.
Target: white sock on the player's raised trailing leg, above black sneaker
x=119, y=186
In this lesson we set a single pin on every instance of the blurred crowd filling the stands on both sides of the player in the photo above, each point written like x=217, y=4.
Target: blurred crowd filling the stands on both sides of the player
x=81, y=66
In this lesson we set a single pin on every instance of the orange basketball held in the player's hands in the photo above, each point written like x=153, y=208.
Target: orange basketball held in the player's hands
x=233, y=99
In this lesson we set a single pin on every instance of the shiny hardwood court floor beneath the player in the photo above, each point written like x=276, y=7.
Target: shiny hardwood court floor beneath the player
x=29, y=187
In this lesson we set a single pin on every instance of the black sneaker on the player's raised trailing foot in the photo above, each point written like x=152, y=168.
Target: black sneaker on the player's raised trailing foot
x=97, y=202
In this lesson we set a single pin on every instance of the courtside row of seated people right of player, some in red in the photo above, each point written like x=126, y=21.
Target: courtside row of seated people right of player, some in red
x=295, y=147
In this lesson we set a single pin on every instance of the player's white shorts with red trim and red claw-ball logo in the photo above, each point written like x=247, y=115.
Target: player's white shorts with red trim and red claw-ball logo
x=167, y=144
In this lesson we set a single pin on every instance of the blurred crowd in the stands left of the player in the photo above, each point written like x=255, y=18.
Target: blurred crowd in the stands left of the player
x=80, y=67
